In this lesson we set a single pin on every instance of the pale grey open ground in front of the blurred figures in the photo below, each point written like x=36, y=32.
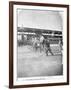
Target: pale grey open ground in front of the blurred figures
x=32, y=64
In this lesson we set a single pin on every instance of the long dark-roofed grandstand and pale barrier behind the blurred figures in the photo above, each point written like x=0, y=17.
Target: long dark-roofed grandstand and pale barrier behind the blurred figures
x=25, y=36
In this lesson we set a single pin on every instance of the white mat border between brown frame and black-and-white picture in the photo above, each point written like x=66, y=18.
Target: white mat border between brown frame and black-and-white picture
x=36, y=80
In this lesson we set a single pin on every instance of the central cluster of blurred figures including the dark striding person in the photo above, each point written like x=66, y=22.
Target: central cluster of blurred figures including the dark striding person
x=43, y=44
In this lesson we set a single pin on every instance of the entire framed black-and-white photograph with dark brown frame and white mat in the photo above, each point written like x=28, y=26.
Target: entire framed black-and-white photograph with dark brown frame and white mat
x=39, y=44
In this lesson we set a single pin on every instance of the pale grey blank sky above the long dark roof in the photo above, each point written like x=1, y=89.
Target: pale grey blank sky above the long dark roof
x=51, y=20
